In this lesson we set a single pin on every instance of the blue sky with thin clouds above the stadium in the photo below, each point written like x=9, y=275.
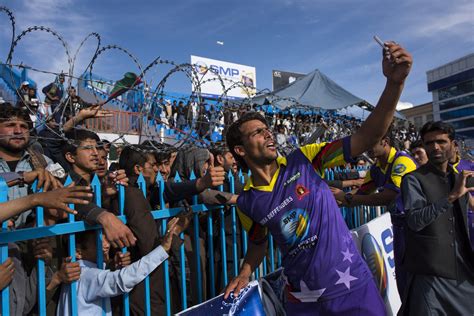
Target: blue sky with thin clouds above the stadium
x=295, y=35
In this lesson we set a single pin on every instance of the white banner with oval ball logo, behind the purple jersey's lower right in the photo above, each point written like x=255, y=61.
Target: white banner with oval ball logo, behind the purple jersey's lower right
x=375, y=243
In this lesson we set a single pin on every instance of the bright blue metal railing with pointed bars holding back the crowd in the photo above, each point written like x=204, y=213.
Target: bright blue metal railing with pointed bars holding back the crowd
x=201, y=212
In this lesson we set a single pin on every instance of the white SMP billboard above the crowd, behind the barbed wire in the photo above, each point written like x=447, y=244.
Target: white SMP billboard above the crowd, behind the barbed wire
x=240, y=78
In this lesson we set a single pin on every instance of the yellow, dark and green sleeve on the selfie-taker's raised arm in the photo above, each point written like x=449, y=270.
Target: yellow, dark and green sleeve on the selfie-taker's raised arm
x=327, y=155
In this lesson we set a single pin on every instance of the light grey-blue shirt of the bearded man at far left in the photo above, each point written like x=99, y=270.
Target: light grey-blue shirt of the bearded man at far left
x=15, y=192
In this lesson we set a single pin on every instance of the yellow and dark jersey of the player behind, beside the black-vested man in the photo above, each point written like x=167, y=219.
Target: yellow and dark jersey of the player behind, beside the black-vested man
x=378, y=178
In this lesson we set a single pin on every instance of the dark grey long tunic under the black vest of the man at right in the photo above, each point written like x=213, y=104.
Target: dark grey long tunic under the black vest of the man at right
x=430, y=292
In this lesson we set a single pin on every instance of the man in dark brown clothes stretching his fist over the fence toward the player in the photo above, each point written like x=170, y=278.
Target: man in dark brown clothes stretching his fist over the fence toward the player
x=140, y=159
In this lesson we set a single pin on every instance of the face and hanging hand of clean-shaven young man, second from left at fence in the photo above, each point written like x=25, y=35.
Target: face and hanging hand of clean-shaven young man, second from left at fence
x=81, y=151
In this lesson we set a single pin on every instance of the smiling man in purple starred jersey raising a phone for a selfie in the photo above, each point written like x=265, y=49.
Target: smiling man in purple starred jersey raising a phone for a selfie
x=287, y=197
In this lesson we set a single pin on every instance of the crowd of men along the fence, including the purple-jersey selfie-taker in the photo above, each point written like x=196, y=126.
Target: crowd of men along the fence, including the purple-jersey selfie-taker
x=424, y=184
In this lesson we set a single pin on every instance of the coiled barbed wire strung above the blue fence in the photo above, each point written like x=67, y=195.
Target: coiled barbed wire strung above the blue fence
x=145, y=110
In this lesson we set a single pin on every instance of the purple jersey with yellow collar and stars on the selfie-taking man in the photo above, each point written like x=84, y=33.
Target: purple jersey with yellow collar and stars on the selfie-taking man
x=320, y=259
